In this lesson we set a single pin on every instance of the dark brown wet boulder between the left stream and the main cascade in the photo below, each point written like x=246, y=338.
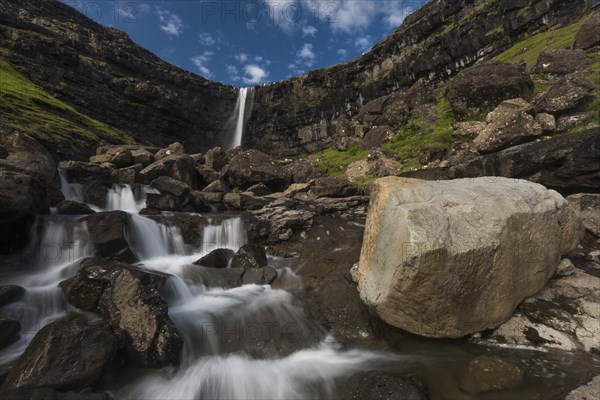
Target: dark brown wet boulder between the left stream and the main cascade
x=128, y=299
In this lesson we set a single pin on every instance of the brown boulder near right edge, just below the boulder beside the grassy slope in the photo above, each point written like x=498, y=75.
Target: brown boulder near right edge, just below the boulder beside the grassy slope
x=566, y=94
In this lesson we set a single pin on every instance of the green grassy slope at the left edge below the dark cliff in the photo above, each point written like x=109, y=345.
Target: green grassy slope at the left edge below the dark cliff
x=31, y=109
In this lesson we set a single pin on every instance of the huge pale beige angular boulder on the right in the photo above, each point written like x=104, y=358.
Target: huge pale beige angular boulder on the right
x=450, y=258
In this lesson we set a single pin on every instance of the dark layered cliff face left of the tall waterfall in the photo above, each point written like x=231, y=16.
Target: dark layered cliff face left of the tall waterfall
x=106, y=76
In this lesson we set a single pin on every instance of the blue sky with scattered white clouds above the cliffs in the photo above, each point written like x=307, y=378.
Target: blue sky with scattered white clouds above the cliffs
x=247, y=43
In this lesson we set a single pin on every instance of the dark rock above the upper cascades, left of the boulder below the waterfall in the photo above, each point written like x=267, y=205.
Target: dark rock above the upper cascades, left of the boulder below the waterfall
x=179, y=167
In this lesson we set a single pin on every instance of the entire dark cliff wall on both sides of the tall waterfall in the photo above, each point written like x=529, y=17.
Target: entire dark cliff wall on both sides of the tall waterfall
x=106, y=76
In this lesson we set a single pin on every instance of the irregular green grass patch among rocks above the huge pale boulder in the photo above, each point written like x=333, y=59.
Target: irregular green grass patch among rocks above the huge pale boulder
x=416, y=135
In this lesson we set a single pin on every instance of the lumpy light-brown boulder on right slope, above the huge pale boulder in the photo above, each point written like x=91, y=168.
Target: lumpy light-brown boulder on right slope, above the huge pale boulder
x=508, y=125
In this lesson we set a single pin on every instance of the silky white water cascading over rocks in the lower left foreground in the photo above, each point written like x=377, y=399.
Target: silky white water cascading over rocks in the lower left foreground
x=243, y=343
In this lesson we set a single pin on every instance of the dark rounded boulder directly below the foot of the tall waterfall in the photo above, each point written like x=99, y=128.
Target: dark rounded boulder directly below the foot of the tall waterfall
x=250, y=167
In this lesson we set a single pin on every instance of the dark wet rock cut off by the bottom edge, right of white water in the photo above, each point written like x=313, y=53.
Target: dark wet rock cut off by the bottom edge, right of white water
x=382, y=385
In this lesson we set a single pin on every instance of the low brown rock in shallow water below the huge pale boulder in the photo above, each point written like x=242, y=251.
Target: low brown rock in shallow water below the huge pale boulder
x=487, y=373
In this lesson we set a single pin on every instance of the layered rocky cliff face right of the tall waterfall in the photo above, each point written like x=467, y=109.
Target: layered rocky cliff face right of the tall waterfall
x=313, y=111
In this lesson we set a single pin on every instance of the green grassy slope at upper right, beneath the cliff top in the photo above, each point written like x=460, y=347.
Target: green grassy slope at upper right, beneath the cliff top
x=529, y=49
